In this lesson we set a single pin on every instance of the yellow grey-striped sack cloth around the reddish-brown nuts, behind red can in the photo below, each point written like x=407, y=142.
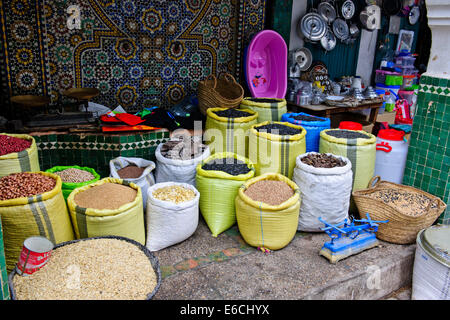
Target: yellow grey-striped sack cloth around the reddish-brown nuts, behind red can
x=44, y=215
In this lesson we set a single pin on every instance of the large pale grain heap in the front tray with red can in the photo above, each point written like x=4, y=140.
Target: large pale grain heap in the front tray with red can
x=98, y=269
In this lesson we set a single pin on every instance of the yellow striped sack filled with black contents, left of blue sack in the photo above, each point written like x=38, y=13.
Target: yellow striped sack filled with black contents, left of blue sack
x=274, y=146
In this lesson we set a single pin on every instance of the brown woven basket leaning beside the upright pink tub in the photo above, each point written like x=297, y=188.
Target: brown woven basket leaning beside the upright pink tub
x=223, y=93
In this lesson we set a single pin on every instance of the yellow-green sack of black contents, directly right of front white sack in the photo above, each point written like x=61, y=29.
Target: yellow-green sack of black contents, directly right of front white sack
x=218, y=180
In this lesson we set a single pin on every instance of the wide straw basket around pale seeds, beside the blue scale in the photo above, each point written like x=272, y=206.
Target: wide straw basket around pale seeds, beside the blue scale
x=401, y=228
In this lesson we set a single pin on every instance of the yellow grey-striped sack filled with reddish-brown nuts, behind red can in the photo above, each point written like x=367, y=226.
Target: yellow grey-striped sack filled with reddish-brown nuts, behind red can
x=32, y=204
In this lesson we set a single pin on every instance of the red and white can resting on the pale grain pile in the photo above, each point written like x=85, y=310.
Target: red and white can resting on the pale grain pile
x=35, y=253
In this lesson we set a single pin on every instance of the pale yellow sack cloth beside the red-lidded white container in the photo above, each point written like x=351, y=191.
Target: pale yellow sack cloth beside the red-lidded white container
x=361, y=153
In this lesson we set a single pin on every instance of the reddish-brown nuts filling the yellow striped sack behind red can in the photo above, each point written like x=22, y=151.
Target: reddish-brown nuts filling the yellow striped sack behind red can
x=24, y=184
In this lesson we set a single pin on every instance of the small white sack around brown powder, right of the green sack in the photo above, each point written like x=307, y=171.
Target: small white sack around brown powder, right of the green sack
x=144, y=181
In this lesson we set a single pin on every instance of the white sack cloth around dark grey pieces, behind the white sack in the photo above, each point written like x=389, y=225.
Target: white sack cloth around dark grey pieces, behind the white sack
x=183, y=171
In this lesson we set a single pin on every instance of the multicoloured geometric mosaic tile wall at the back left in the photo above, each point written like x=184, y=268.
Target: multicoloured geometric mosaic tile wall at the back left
x=137, y=53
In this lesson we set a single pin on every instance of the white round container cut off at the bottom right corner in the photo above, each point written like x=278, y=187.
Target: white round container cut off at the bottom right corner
x=431, y=272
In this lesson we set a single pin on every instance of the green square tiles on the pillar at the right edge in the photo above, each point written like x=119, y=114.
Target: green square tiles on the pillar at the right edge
x=428, y=162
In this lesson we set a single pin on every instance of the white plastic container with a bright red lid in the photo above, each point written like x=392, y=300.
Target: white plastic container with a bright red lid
x=391, y=153
